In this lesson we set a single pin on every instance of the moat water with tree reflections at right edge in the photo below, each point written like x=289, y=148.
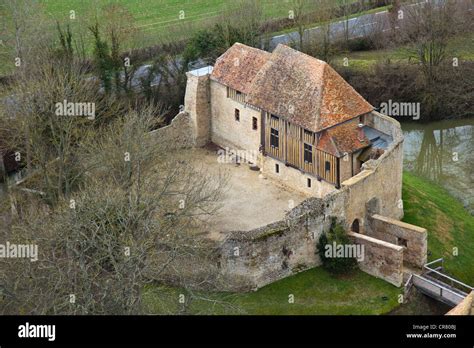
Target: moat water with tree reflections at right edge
x=444, y=153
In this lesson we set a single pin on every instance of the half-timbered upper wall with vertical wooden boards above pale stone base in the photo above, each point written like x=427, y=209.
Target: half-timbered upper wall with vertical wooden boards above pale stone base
x=291, y=149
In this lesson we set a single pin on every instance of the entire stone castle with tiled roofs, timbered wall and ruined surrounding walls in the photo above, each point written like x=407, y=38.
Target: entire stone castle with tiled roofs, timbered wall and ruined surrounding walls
x=308, y=131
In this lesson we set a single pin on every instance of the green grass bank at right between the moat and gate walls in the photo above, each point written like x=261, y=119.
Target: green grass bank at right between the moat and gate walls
x=449, y=225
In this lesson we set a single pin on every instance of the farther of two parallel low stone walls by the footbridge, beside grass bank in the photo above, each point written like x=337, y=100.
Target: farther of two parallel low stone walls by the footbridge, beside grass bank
x=396, y=232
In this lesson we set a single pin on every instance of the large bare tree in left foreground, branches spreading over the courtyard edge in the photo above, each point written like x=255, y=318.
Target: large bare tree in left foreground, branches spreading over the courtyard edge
x=134, y=220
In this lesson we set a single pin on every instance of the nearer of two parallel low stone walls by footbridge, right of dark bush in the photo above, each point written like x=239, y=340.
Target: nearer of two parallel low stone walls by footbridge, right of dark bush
x=381, y=259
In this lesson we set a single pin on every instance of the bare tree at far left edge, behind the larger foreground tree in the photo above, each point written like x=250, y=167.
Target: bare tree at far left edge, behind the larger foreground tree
x=35, y=126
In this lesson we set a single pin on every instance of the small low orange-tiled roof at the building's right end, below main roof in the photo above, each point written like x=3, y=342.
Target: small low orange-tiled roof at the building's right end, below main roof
x=344, y=138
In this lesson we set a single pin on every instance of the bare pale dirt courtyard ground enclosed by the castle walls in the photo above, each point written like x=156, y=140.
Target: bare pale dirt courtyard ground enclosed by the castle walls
x=249, y=200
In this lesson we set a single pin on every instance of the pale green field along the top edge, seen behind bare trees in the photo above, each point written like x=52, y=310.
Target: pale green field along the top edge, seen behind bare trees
x=157, y=21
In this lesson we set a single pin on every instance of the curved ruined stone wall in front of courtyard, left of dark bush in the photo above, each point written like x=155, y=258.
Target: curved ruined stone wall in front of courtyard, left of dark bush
x=252, y=259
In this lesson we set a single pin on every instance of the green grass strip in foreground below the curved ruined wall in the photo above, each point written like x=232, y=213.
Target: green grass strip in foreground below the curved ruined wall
x=315, y=292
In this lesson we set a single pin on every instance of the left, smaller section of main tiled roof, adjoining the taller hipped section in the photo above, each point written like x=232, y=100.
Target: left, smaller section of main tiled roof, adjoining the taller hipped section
x=238, y=66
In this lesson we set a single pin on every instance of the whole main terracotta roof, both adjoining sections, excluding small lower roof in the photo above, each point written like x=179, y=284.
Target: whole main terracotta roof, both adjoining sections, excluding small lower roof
x=292, y=85
